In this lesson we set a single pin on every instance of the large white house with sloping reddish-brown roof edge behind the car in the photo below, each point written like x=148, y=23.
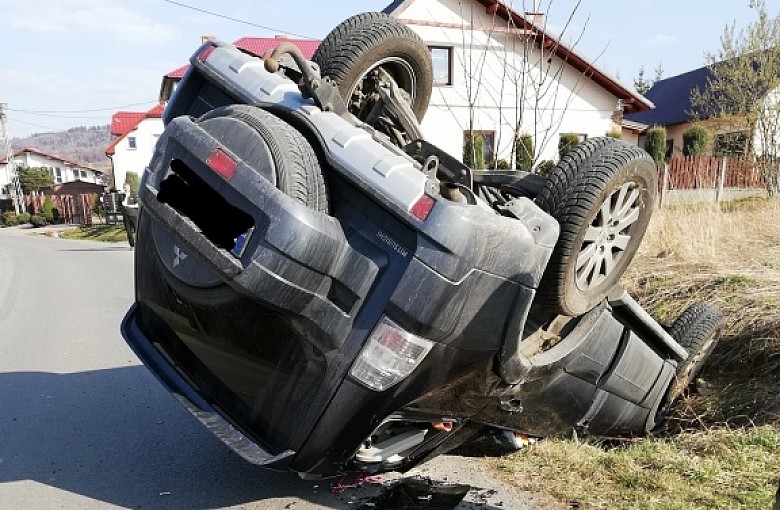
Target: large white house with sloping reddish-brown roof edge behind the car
x=499, y=73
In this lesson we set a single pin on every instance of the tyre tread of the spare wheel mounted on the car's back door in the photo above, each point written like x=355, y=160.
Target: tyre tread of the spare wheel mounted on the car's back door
x=297, y=169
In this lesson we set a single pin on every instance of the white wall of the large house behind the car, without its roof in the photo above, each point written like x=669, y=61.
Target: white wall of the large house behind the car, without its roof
x=501, y=81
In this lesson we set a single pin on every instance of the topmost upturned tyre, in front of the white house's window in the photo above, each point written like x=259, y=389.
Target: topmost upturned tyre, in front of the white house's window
x=370, y=40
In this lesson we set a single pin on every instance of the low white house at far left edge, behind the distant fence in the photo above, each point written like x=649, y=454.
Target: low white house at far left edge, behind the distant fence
x=62, y=170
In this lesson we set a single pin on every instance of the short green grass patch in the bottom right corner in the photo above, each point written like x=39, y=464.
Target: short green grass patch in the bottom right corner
x=734, y=469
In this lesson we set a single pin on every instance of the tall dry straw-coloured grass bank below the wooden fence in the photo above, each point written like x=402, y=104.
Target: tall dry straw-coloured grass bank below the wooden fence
x=729, y=257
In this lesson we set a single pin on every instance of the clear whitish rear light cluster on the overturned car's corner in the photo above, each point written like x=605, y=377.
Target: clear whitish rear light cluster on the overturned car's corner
x=389, y=356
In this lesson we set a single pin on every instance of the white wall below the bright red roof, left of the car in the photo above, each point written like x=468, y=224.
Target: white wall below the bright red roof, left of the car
x=127, y=159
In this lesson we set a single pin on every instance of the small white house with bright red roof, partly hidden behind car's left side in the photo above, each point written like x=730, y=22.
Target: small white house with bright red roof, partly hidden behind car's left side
x=136, y=135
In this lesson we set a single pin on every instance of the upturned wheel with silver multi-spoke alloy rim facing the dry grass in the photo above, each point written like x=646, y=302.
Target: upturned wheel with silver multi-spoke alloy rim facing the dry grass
x=602, y=194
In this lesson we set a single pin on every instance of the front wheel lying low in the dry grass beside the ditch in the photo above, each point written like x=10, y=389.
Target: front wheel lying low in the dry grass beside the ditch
x=698, y=330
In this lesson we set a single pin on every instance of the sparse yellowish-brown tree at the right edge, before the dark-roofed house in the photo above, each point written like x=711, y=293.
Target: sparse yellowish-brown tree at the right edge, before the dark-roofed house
x=742, y=97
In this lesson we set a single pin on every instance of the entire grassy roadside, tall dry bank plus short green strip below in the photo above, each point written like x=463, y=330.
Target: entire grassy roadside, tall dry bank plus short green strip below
x=722, y=449
